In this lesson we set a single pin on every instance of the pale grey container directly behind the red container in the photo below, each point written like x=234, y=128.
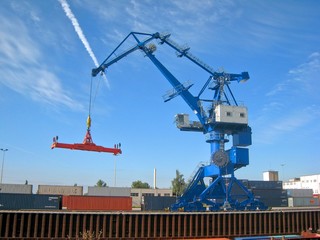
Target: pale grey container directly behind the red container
x=109, y=191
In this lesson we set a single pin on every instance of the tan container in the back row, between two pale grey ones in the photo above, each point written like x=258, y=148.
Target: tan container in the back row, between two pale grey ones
x=60, y=190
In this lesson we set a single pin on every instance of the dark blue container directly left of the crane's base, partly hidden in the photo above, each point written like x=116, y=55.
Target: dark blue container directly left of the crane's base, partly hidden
x=156, y=203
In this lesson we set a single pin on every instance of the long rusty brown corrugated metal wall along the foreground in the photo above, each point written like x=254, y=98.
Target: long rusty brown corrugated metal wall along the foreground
x=142, y=225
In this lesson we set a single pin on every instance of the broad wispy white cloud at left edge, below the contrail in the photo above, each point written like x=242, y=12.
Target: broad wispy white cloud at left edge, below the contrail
x=22, y=70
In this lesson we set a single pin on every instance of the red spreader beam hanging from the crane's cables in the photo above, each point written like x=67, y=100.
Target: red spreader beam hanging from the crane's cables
x=87, y=145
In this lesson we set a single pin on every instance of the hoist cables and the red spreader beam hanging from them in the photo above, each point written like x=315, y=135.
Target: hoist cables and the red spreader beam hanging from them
x=87, y=144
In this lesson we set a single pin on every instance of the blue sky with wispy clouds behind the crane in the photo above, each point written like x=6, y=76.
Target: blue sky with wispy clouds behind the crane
x=45, y=80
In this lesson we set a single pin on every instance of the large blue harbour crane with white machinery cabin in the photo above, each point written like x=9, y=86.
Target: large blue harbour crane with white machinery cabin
x=218, y=118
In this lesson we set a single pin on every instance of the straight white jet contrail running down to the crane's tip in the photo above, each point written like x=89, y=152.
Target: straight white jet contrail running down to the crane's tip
x=82, y=37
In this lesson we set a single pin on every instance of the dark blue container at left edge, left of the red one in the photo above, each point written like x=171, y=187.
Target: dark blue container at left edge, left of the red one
x=20, y=201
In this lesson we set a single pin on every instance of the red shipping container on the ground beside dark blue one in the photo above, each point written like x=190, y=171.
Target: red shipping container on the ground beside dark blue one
x=97, y=203
